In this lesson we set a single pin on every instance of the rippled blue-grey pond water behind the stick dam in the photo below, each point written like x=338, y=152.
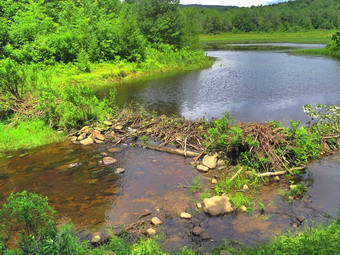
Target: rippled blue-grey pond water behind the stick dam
x=251, y=85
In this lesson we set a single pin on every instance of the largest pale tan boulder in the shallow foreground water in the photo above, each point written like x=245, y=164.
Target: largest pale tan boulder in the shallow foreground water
x=217, y=205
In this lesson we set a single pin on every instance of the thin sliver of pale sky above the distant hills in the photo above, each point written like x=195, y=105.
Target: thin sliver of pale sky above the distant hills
x=232, y=2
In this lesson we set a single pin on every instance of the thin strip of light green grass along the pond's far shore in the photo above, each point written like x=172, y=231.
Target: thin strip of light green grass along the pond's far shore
x=315, y=36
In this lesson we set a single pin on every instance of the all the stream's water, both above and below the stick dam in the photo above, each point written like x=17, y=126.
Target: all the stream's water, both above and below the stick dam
x=253, y=86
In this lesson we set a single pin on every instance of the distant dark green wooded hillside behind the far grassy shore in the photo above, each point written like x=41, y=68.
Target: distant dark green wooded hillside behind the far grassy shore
x=292, y=16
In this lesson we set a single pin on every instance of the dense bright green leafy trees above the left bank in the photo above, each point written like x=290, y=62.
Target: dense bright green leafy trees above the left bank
x=48, y=31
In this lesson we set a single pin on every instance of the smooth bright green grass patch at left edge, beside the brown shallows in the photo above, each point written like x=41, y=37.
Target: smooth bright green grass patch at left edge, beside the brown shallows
x=27, y=134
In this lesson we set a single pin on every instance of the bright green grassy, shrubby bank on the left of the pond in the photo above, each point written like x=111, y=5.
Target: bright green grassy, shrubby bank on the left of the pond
x=63, y=96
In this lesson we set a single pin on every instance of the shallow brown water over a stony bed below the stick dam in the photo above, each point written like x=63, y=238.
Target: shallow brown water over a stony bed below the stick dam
x=94, y=197
